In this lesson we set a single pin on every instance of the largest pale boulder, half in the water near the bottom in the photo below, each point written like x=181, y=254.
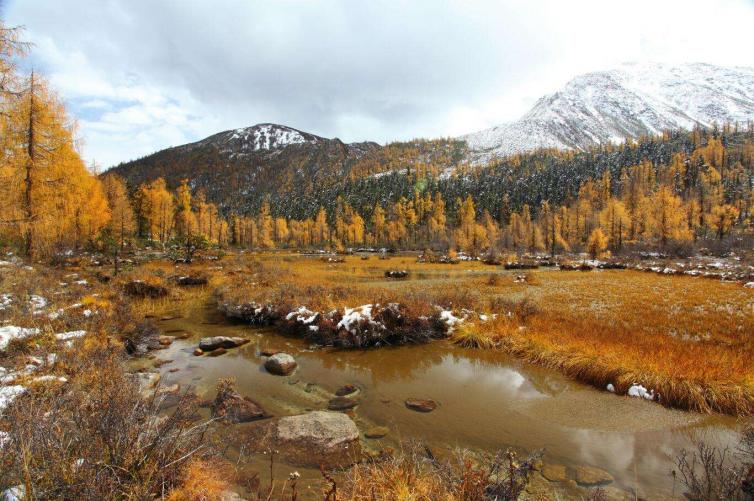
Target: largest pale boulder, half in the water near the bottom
x=330, y=439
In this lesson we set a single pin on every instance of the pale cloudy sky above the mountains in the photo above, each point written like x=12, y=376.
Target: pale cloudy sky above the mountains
x=143, y=75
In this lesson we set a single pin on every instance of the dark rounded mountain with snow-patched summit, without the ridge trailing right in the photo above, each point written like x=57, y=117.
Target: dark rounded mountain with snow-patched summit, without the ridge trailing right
x=265, y=159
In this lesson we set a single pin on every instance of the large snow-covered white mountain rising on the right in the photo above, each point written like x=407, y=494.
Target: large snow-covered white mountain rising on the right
x=632, y=100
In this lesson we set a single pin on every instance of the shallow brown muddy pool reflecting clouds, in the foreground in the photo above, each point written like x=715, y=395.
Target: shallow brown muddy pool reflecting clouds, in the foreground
x=487, y=400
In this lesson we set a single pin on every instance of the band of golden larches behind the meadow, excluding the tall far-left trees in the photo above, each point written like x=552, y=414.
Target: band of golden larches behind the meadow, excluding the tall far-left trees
x=706, y=195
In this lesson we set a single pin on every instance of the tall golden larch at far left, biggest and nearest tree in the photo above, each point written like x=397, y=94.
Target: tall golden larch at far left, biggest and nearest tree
x=49, y=198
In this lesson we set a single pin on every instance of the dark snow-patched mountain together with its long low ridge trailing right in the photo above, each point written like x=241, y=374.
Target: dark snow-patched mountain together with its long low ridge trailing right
x=238, y=169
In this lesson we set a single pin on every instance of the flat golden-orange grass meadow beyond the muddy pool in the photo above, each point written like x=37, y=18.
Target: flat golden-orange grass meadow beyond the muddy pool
x=686, y=338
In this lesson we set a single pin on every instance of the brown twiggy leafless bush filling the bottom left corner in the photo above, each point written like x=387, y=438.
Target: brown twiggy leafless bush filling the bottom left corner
x=95, y=437
